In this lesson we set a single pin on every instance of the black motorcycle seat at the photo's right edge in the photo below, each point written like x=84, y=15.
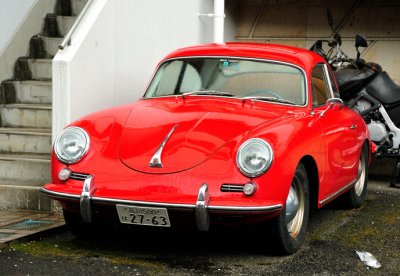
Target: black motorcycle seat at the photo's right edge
x=384, y=89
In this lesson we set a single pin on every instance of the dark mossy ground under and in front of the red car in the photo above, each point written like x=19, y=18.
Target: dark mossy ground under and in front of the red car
x=333, y=238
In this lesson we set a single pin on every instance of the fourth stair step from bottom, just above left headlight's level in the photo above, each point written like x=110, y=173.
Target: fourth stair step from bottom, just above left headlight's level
x=26, y=115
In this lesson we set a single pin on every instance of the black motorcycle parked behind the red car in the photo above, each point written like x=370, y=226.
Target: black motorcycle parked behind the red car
x=368, y=90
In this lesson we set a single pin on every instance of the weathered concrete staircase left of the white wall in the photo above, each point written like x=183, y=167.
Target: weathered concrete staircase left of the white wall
x=25, y=115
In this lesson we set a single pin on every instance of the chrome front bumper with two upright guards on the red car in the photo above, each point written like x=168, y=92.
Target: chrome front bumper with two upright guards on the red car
x=201, y=207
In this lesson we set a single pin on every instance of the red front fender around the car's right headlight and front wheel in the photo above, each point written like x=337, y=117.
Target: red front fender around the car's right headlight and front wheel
x=291, y=138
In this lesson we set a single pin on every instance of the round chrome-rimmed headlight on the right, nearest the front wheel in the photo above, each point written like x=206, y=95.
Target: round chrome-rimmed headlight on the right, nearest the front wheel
x=254, y=157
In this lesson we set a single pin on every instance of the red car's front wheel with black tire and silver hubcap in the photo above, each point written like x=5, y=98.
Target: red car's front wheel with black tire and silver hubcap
x=289, y=230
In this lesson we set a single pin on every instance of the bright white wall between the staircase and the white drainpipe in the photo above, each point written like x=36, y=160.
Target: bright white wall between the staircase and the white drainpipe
x=116, y=48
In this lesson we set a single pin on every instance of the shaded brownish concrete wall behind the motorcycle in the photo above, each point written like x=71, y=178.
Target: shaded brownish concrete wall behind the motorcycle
x=300, y=23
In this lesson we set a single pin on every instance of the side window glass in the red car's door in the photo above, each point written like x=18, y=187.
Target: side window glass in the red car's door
x=321, y=93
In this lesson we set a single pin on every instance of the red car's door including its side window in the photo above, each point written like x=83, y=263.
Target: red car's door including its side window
x=339, y=126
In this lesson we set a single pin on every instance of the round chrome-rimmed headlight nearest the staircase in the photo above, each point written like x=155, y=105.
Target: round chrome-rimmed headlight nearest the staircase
x=71, y=145
